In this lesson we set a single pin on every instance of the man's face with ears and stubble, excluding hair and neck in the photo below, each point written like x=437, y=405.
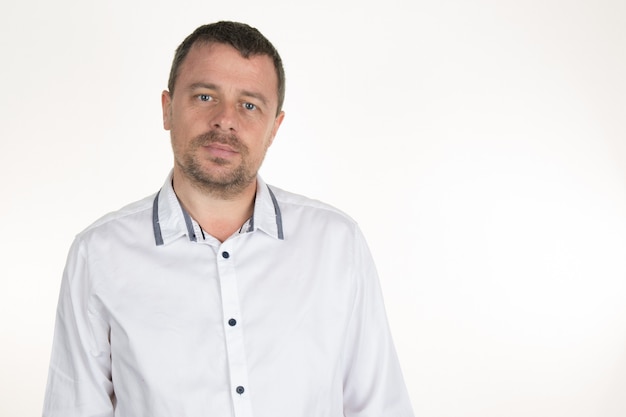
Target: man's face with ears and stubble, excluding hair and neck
x=221, y=117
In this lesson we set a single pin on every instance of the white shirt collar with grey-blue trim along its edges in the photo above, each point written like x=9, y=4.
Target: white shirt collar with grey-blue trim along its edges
x=170, y=220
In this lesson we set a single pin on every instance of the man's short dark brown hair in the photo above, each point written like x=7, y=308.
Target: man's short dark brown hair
x=244, y=38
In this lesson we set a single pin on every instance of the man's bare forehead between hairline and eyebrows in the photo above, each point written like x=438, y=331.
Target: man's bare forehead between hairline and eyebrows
x=218, y=63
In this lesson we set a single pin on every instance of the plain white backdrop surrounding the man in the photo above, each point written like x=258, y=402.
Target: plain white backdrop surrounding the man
x=480, y=144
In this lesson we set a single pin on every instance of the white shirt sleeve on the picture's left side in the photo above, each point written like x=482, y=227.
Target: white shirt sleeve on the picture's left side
x=79, y=377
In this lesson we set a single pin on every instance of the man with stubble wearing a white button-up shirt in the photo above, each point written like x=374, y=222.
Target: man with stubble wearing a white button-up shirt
x=220, y=295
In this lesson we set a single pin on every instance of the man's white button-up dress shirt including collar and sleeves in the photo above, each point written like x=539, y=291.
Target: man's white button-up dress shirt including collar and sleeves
x=156, y=318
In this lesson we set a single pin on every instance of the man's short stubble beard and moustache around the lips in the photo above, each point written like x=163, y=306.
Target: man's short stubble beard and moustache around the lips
x=224, y=182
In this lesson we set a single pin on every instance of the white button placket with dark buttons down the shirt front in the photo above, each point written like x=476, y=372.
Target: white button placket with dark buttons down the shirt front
x=233, y=330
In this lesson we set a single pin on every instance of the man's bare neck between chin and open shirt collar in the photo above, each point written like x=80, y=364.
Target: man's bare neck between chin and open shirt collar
x=219, y=213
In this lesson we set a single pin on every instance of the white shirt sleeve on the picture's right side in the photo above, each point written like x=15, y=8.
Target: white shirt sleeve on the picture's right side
x=373, y=382
